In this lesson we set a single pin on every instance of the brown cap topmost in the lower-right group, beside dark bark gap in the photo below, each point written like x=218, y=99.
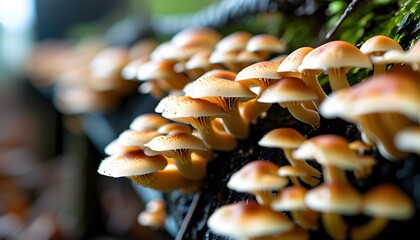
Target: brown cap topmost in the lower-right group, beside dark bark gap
x=282, y=138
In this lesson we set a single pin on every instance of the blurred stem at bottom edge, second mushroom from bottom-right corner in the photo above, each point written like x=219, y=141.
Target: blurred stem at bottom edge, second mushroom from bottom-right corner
x=334, y=225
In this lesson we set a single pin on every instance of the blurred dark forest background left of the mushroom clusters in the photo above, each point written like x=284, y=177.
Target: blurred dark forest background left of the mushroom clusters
x=49, y=186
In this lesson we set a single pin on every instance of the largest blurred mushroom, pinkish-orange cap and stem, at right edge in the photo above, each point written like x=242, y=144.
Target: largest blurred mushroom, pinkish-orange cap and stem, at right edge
x=381, y=105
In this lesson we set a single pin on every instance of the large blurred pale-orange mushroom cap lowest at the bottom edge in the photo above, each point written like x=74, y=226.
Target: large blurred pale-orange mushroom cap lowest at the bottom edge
x=244, y=220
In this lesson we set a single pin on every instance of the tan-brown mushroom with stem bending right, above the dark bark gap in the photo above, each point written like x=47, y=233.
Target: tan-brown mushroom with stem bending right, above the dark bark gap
x=290, y=93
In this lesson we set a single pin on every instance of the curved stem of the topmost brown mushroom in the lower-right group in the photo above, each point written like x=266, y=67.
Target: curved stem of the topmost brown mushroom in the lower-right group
x=313, y=175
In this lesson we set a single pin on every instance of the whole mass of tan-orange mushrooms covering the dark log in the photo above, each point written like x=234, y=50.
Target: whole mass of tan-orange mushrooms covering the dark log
x=212, y=88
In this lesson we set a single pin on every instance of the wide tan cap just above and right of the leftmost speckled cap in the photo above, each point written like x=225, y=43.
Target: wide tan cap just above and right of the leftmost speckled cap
x=176, y=141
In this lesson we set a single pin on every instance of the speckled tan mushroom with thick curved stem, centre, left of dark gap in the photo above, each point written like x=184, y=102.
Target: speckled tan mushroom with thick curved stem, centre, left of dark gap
x=199, y=113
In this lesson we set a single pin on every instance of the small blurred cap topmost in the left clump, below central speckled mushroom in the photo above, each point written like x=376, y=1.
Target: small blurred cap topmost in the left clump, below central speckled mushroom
x=148, y=121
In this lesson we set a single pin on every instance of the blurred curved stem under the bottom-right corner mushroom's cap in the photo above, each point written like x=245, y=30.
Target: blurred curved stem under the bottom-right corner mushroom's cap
x=370, y=229
